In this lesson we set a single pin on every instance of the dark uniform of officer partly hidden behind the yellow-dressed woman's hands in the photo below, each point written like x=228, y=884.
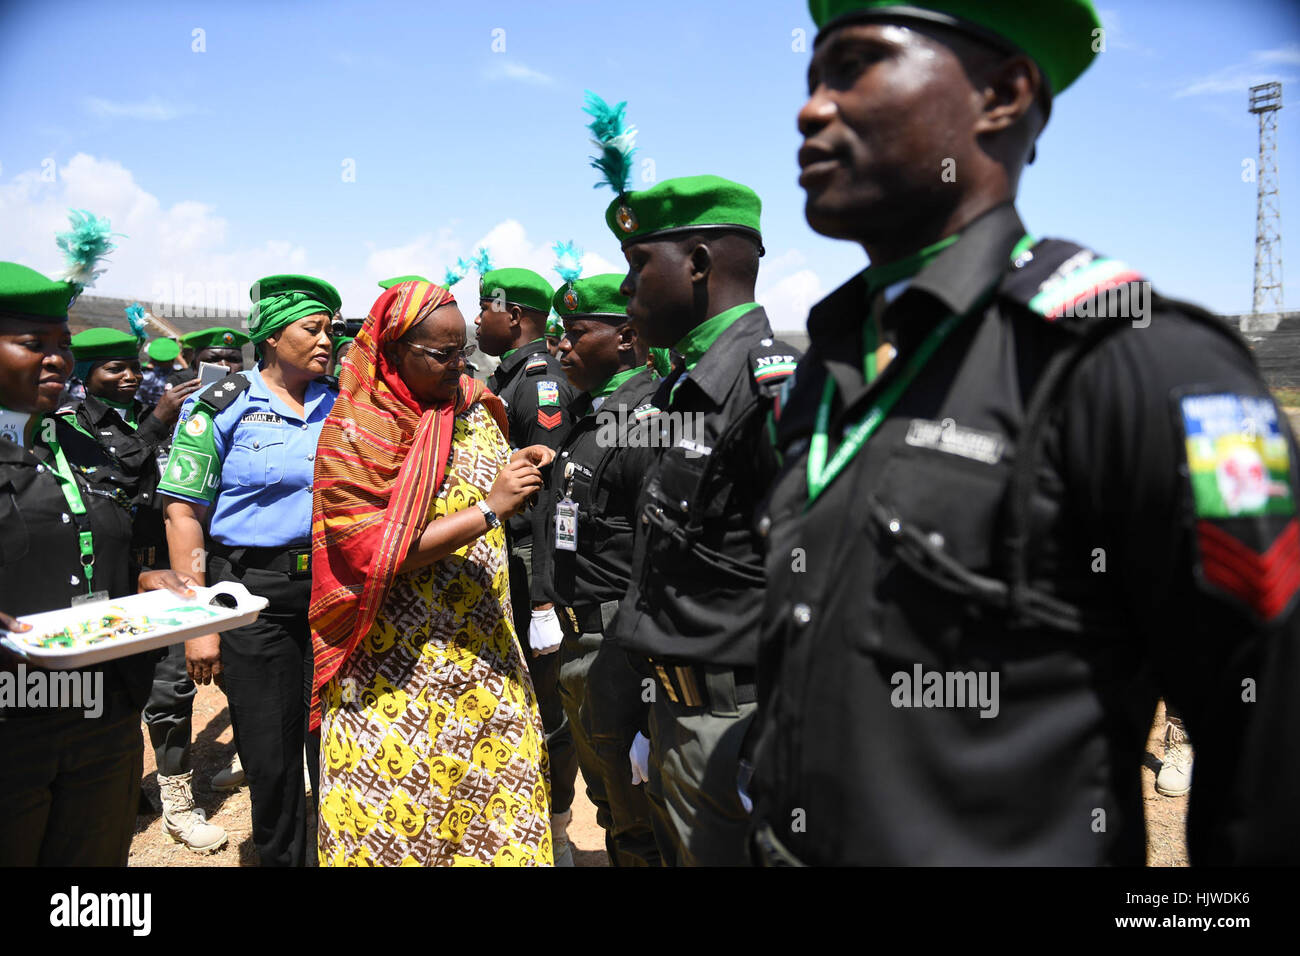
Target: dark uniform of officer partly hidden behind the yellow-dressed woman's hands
x=523, y=382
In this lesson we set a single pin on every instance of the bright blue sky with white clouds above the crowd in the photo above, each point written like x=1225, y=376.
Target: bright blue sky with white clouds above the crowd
x=224, y=165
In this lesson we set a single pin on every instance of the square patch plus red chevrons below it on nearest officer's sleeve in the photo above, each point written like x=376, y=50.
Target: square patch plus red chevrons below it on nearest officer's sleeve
x=1240, y=466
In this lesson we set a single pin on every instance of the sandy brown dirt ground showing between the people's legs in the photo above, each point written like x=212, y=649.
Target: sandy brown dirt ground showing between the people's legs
x=214, y=747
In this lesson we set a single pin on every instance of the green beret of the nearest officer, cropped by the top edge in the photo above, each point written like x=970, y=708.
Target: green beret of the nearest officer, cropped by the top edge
x=1059, y=34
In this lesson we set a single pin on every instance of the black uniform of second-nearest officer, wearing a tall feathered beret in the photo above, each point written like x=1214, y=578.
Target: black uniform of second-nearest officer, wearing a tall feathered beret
x=691, y=616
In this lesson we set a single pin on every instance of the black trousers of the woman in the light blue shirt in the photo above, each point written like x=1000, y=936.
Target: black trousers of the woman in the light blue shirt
x=268, y=682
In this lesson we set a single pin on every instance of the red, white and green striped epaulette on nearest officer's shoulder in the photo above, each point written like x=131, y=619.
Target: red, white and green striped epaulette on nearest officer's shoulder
x=1061, y=280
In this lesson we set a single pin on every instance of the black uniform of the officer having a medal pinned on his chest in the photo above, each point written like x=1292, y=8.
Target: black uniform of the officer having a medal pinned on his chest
x=600, y=468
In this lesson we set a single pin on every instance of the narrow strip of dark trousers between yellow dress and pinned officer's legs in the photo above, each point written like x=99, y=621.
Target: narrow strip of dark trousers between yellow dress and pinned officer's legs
x=545, y=672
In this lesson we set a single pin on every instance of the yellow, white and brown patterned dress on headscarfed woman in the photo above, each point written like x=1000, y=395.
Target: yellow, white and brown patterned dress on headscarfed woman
x=432, y=745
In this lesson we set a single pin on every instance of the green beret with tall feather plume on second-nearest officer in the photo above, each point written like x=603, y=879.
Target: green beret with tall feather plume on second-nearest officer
x=686, y=205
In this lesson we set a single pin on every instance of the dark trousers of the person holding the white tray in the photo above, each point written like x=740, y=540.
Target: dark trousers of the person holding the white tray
x=70, y=788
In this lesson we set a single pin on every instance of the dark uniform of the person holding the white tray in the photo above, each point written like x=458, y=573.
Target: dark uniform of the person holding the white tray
x=70, y=785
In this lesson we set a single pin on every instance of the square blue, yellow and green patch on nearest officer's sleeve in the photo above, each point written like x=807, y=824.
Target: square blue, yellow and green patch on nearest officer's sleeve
x=1241, y=465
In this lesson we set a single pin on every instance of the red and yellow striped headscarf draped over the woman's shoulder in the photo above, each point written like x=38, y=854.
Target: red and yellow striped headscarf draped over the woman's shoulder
x=382, y=460
